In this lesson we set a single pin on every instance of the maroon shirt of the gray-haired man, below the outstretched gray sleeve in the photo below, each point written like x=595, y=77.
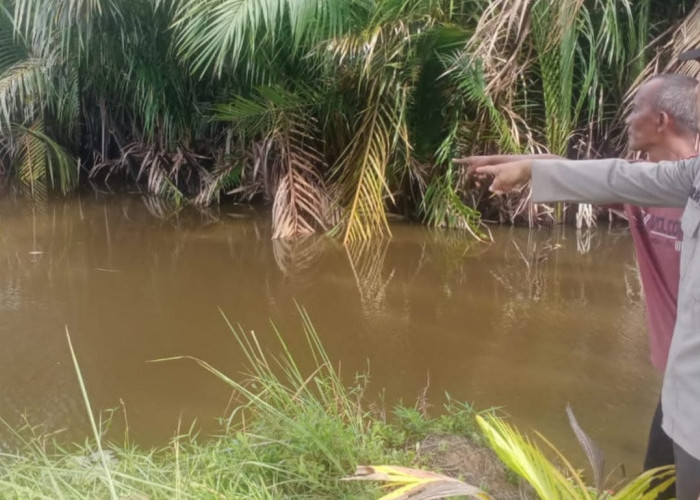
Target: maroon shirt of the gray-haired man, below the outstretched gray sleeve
x=657, y=239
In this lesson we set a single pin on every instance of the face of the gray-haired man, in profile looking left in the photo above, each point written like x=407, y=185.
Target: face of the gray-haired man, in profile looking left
x=642, y=123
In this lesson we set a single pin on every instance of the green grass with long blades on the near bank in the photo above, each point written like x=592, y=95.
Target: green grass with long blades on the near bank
x=292, y=435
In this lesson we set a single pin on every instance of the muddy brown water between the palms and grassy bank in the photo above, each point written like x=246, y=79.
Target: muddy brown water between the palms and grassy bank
x=534, y=321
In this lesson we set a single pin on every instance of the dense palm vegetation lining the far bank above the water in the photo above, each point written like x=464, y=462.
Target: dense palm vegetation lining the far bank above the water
x=335, y=112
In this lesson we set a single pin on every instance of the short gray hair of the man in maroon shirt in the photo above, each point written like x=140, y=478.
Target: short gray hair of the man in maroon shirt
x=676, y=96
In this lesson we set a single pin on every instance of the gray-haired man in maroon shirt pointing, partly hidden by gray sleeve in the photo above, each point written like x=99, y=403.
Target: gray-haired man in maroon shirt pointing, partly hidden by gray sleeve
x=663, y=126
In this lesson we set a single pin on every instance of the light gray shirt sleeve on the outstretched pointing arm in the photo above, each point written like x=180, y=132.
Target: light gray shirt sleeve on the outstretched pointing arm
x=614, y=181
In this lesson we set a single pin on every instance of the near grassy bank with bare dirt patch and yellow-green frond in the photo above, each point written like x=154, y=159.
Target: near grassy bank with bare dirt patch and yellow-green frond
x=292, y=434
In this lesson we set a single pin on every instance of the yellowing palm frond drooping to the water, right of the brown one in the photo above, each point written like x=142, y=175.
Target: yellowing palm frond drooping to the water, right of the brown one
x=381, y=59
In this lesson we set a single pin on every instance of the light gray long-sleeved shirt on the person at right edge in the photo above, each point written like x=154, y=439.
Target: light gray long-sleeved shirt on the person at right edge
x=668, y=184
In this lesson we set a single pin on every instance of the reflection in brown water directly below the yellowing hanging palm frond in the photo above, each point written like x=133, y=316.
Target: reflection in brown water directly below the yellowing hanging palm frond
x=367, y=263
